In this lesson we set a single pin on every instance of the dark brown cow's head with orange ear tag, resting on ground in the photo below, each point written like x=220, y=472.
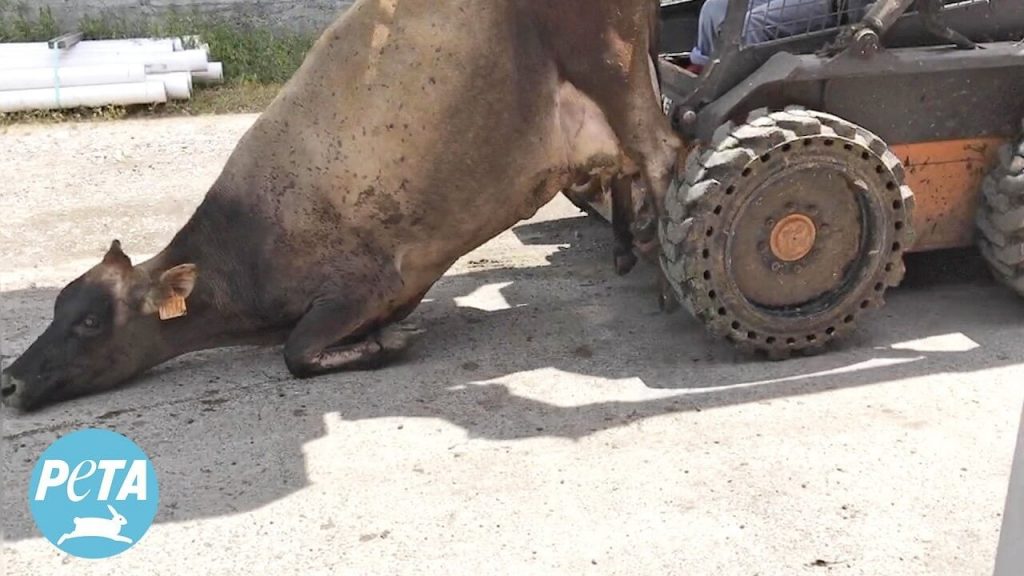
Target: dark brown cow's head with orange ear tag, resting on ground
x=106, y=330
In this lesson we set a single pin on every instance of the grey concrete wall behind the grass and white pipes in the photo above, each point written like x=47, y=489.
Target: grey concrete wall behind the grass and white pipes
x=291, y=15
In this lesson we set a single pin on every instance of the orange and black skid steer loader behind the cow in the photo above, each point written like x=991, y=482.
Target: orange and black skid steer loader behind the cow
x=825, y=147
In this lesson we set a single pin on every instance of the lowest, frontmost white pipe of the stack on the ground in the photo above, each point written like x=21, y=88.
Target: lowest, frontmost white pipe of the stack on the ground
x=104, y=95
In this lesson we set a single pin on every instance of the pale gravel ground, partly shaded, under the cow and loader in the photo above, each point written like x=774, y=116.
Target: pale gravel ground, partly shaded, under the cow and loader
x=551, y=422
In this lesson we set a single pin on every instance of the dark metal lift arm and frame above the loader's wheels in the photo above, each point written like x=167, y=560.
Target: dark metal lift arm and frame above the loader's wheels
x=875, y=91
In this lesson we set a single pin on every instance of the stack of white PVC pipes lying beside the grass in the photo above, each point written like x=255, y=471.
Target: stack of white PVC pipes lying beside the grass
x=97, y=73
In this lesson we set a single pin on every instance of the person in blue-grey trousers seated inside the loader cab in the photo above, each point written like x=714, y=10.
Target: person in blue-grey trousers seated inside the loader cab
x=771, y=20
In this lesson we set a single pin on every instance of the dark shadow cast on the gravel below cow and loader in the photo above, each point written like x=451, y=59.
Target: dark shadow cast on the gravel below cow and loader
x=573, y=316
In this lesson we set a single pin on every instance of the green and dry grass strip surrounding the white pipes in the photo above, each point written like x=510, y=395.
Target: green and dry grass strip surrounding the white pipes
x=258, y=60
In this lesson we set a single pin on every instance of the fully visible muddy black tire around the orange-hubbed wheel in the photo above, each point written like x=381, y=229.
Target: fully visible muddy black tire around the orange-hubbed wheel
x=695, y=243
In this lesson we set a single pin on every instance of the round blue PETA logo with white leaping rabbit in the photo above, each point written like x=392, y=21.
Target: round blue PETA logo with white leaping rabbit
x=94, y=493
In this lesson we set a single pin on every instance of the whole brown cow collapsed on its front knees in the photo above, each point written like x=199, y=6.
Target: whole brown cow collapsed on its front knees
x=415, y=132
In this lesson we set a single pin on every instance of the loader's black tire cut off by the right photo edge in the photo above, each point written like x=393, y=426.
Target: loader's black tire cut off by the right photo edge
x=1001, y=218
